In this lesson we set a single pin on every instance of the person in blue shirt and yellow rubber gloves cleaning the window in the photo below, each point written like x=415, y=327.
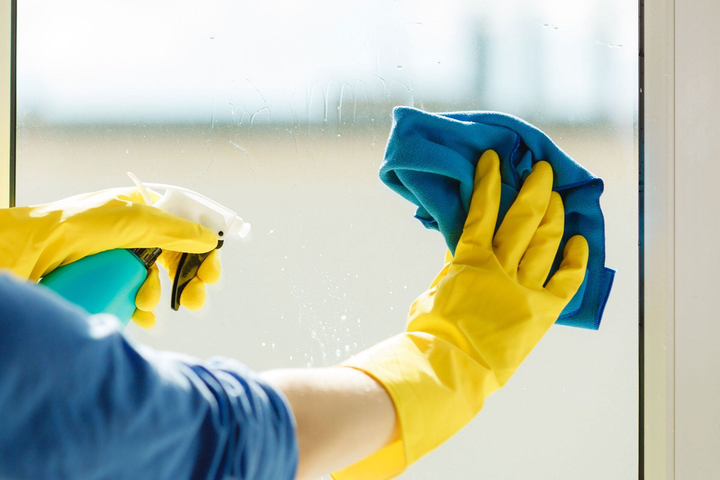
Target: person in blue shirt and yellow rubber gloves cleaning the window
x=79, y=400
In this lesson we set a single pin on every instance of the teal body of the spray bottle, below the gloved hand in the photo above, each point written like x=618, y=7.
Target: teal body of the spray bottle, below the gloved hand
x=106, y=282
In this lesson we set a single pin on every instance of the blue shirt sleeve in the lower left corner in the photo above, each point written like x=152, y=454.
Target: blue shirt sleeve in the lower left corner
x=78, y=400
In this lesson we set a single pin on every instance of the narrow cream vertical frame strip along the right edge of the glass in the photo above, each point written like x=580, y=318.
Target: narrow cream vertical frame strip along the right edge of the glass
x=657, y=246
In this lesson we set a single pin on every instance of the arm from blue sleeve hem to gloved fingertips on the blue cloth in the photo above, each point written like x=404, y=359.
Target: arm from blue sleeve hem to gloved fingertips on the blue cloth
x=466, y=336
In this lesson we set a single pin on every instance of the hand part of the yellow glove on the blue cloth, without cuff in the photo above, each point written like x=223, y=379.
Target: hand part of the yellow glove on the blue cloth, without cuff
x=495, y=291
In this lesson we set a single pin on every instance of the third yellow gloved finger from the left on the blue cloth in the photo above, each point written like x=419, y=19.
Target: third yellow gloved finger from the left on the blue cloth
x=540, y=254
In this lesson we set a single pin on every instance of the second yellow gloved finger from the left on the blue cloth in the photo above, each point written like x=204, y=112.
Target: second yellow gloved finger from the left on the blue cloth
x=524, y=217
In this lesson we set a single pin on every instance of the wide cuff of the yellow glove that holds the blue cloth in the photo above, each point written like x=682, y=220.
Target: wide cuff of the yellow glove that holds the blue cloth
x=436, y=389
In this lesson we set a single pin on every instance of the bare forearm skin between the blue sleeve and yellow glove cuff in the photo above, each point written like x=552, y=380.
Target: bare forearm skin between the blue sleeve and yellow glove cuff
x=342, y=416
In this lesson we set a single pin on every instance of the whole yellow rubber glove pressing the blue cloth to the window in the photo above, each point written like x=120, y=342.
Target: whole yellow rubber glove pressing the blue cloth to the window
x=483, y=314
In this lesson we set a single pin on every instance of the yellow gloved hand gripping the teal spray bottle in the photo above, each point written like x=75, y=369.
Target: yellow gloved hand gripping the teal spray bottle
x=36, y=240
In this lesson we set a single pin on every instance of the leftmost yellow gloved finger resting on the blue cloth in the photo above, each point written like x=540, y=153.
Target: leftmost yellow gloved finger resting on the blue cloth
x=484, y=205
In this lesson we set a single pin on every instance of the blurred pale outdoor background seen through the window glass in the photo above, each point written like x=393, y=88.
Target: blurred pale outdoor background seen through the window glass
x=280, y=110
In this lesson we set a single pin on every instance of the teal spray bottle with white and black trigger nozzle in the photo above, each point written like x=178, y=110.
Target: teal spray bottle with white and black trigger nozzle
x=108, y=282
